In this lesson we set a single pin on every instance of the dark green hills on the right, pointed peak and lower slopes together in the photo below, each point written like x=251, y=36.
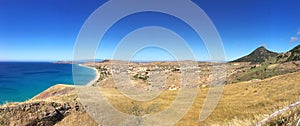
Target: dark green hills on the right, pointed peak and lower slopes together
x=269, y=64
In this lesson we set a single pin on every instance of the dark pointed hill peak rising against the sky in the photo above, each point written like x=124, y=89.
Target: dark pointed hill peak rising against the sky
x=259, y=55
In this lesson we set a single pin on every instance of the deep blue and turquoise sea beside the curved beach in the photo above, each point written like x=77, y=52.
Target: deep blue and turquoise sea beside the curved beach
x=20, y=81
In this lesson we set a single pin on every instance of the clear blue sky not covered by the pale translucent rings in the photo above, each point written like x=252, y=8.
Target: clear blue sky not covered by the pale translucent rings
x=41, y=30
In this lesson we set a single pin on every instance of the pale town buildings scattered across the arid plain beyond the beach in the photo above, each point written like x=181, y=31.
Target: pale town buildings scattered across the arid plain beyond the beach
x=200, y=75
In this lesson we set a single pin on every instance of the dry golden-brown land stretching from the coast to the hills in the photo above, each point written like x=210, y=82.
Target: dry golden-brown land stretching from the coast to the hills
x=253, y=90
